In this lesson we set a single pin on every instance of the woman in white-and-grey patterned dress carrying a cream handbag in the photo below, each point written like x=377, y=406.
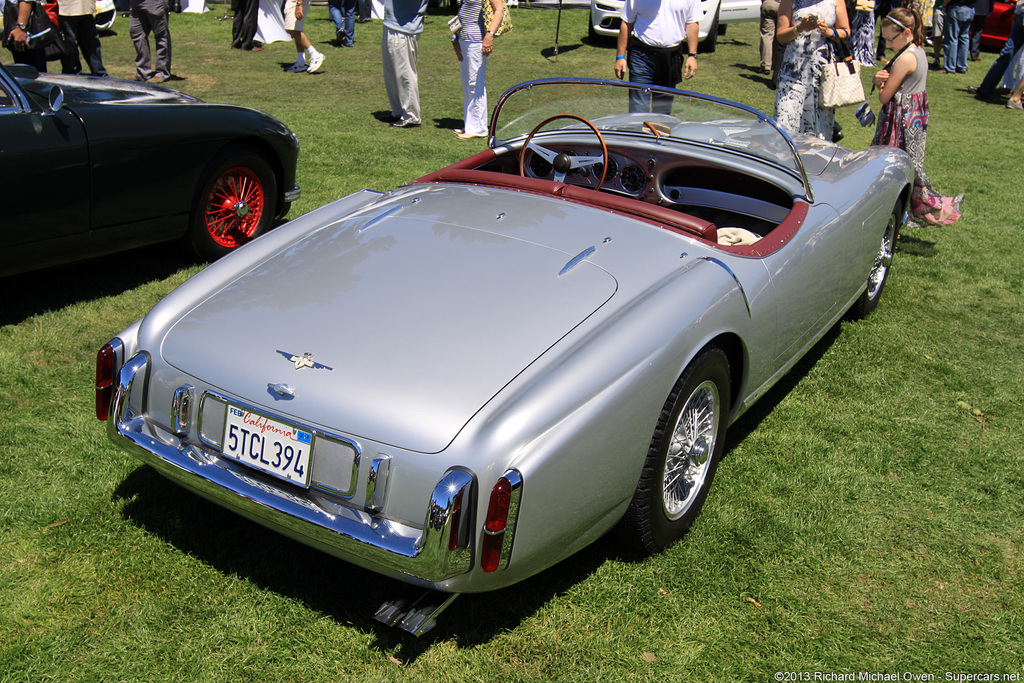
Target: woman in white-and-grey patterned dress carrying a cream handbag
x=807, y=28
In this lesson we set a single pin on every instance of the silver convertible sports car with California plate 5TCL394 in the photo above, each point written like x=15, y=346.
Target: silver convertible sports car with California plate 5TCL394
x=461, y=382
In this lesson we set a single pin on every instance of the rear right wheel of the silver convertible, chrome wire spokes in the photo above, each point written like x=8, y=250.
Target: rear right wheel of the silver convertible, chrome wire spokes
x=663, y=509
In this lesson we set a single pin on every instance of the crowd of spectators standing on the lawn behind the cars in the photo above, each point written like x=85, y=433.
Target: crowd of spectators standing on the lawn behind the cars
x=657, y=45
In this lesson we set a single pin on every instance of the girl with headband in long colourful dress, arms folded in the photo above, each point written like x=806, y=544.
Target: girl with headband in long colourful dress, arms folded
x=904, y=120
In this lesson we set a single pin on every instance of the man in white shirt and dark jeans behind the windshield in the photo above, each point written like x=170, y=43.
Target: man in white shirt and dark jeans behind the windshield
x=652, y=38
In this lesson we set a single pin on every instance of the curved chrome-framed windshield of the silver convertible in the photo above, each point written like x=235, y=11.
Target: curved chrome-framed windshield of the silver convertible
x=629, y=108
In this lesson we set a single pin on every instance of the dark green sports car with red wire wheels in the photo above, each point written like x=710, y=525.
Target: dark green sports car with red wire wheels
x=93, y=166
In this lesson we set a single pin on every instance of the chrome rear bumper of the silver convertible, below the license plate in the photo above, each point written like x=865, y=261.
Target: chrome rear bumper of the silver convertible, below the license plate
x=425, y=557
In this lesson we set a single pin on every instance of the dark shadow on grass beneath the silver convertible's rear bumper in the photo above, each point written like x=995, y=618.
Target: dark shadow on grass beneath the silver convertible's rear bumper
x=347, y=593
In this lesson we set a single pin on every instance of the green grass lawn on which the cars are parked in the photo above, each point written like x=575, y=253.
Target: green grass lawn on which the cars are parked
x=867, y=517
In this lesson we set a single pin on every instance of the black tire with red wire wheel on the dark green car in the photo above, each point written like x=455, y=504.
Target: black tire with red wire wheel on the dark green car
x=235, y=203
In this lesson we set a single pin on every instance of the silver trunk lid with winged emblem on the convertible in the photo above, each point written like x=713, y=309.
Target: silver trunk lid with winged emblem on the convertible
x=414, y=322
